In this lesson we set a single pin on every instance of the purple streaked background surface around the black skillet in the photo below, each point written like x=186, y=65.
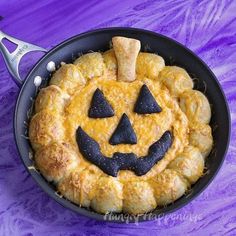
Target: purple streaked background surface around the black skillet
x=207, y=27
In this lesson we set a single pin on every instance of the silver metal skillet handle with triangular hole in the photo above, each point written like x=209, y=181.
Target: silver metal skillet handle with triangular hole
x=13, y=59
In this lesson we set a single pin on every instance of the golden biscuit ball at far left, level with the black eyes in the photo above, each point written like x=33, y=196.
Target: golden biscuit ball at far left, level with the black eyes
x=51, y=98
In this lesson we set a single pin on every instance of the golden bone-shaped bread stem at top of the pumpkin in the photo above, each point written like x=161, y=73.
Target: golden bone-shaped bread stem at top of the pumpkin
x=126, y=51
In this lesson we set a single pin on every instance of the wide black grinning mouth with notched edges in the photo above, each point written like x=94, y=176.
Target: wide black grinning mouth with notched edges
x=91, y=151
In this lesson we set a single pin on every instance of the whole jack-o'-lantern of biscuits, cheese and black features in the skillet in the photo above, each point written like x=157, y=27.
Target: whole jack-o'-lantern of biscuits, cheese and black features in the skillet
x=120, y=130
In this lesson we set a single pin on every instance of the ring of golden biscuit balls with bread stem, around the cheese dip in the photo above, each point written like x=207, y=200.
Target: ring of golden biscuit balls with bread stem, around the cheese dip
x=86, y=184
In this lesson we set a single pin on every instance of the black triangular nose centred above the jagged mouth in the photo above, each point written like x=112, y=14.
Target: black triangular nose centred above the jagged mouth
x=124, y=132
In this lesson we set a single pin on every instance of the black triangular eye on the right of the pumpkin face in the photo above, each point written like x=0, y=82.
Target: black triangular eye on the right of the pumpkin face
x=146, y=103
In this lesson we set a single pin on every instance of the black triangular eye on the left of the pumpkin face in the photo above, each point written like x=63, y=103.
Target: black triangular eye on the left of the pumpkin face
x=100, y=107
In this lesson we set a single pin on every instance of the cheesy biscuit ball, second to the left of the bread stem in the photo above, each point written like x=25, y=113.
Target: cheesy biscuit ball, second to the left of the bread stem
x=91, y=65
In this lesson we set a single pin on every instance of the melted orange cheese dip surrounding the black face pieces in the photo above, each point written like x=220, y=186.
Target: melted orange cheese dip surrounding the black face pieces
x=148, y=128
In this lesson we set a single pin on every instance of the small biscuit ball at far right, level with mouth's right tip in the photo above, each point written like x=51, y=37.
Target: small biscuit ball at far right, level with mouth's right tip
x=201, y=137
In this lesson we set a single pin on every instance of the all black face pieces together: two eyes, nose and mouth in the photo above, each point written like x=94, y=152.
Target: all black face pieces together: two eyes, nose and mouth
x=123, y=134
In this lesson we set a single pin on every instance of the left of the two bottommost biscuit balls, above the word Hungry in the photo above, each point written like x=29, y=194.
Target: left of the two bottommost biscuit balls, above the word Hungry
x=107, y=195
